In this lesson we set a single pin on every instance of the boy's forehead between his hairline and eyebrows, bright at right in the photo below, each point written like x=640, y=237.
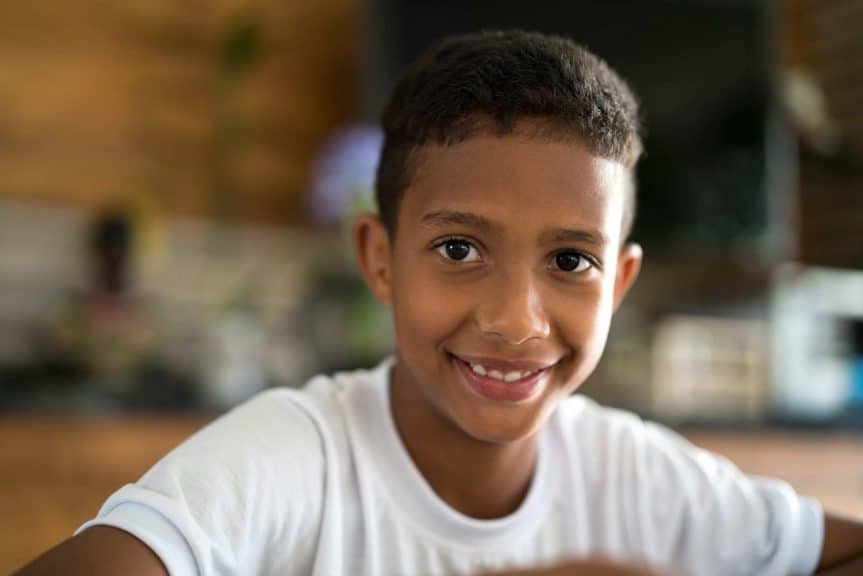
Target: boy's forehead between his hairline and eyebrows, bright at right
x=529, y=183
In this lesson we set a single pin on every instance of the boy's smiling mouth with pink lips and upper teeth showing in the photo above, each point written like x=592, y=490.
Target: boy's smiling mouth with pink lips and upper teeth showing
x=510, y=383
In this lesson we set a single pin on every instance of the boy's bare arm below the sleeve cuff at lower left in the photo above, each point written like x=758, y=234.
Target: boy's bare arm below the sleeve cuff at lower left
x=97, y=551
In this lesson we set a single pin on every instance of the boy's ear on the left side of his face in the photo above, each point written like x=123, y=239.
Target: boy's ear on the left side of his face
x=372, y=247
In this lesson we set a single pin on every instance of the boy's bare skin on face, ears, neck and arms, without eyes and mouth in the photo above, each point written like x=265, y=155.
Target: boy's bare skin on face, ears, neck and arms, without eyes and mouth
x=511, y=303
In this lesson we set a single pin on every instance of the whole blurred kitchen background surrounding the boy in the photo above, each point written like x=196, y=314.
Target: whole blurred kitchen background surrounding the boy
x=177, y=181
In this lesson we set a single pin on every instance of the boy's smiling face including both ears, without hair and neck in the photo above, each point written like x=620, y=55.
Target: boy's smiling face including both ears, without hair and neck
x=505, y=271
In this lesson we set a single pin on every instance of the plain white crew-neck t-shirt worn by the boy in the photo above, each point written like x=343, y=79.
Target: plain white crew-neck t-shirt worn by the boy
x=317, y=481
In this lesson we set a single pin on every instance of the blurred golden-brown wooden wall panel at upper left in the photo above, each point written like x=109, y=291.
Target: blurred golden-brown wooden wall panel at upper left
x=103, y=101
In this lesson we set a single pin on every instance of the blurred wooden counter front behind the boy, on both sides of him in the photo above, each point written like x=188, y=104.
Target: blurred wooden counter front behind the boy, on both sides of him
x=55, y=471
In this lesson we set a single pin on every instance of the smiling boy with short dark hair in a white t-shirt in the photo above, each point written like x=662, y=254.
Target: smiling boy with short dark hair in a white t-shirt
x=505, y=195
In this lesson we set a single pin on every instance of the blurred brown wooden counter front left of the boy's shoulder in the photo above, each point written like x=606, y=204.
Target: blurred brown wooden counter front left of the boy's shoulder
x=56, y=471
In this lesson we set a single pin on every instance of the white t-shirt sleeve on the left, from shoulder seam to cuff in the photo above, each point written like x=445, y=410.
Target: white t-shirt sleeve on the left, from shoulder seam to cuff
x=214, y=505
